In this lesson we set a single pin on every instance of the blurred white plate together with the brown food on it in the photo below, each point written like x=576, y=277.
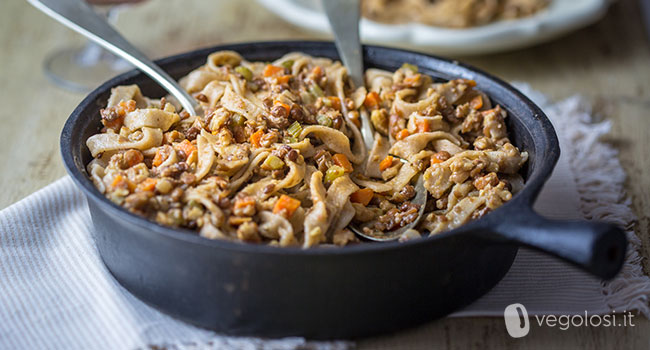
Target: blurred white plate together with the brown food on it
x=453, y=27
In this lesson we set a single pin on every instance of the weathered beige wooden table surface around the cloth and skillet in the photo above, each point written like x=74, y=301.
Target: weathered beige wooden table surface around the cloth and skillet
x=608, y=62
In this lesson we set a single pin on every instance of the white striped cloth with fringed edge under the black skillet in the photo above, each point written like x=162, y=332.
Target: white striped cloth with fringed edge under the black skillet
x=56, y=294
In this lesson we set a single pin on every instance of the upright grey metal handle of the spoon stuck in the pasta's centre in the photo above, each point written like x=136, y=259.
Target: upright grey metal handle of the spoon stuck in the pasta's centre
x=344, y=17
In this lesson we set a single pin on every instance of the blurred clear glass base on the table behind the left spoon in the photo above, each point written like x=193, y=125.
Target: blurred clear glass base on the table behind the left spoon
x=83, y=69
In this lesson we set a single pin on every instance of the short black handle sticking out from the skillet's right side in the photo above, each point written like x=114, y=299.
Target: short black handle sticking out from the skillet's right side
x=596, y=247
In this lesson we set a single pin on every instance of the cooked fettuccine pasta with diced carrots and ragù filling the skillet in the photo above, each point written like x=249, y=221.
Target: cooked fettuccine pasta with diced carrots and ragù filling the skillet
x=277, y=157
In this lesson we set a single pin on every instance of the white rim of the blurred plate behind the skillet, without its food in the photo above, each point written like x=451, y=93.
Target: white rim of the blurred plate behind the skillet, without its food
x=561, y=17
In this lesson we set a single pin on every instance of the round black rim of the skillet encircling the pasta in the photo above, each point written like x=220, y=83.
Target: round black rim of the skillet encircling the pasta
x=525, y=197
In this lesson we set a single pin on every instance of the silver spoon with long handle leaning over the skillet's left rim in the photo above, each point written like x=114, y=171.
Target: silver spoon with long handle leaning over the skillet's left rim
x=80, y=17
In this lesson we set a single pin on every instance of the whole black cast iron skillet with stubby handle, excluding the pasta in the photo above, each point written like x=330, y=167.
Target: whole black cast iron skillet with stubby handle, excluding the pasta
x=246, y=289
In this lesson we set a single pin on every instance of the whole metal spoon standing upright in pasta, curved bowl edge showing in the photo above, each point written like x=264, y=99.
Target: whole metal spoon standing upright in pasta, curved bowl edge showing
x=344, y=17
